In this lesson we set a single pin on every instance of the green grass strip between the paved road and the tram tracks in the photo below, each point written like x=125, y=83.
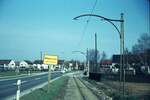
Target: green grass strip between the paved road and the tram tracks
x=56, y=91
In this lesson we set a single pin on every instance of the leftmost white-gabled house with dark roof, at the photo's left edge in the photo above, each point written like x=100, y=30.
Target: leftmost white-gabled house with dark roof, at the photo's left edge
x=7, y=64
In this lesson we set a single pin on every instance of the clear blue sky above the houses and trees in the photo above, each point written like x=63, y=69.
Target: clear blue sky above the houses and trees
x=28, y=27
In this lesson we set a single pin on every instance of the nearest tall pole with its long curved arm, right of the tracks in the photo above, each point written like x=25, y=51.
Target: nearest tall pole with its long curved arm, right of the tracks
x=121, y=37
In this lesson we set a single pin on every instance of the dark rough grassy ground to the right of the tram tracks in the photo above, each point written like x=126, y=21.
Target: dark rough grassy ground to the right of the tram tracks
x=133, y=91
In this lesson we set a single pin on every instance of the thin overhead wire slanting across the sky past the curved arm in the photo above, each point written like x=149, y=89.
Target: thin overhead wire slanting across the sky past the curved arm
x=86, y=25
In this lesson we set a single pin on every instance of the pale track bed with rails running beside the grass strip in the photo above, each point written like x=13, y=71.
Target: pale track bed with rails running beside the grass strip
x=77, y=90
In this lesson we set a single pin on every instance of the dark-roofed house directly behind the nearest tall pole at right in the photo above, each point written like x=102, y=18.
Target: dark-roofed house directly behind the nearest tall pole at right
x=133, y=63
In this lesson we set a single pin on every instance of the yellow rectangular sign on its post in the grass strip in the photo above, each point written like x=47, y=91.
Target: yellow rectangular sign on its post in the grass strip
x=50, y=61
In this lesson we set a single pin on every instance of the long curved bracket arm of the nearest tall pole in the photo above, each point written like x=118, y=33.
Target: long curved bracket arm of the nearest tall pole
x=104, y=18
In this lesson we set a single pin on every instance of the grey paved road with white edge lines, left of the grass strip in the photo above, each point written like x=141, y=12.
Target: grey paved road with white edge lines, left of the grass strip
x=8, y=86
